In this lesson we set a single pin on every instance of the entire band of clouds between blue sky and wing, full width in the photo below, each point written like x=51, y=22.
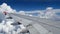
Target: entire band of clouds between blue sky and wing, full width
x=48, y=13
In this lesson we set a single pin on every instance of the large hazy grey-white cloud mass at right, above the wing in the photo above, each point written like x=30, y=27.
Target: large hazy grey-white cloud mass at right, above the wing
x=51, y=13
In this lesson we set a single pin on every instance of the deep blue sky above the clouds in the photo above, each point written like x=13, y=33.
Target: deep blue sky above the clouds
x=28, y=5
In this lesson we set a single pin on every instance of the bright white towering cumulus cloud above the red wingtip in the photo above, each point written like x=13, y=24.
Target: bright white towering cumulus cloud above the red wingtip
x=6, y=8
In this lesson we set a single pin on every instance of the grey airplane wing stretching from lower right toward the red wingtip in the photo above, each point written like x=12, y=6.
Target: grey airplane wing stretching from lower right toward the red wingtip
x=39, y=25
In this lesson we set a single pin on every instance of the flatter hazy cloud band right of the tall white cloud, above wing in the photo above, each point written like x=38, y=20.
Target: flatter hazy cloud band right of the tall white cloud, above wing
x=49, y=13
